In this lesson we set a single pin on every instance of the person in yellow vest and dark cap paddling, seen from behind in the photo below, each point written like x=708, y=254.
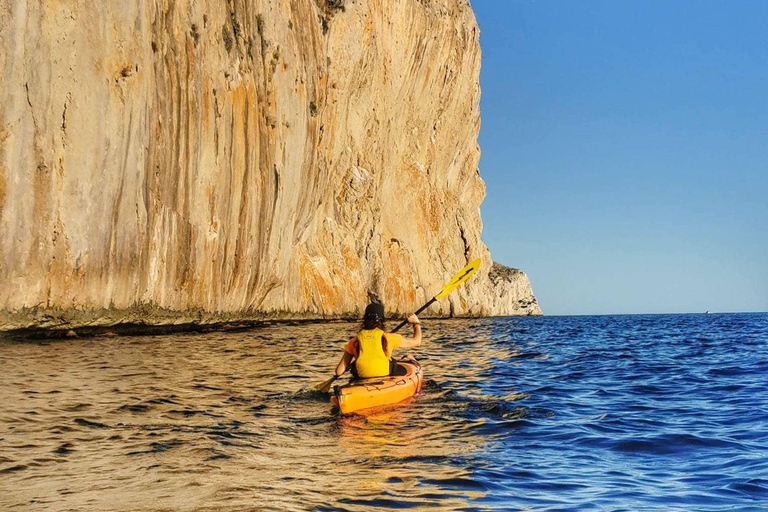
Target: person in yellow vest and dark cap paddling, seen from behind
x=371, y=349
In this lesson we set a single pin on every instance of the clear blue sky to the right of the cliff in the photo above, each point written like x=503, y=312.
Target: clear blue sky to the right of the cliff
x=625, y=152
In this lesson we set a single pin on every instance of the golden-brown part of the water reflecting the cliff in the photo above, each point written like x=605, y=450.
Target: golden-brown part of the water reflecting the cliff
x=217, y=421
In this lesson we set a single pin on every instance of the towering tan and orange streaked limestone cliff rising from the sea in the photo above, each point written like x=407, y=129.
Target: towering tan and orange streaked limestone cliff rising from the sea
x=203, y=161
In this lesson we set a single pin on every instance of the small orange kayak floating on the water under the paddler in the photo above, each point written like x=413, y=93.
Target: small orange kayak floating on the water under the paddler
x=378, y=391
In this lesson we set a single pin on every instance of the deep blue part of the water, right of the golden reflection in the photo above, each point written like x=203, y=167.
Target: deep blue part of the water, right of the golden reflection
x=629, y=413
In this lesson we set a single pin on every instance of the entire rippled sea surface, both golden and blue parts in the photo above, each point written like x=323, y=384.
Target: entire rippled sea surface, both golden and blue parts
x=614, y=413
